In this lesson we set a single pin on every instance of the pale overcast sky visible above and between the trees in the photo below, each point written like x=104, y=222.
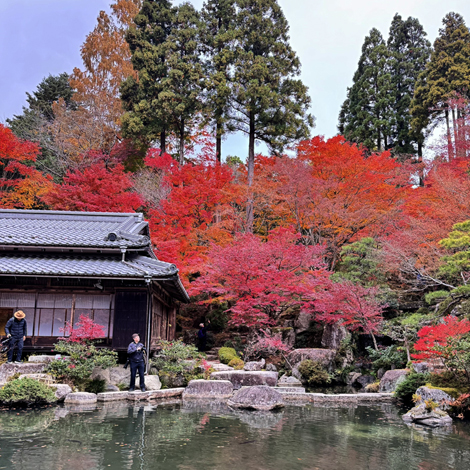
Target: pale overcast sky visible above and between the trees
x=42, y=37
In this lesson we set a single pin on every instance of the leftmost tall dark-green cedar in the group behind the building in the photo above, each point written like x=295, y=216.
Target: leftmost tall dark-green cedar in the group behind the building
x=143, y=98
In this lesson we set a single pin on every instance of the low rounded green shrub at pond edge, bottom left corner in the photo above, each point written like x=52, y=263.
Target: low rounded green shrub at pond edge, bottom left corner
x=27, y=392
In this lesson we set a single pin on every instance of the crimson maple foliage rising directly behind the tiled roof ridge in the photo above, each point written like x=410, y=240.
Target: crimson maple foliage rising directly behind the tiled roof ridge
x=95, y=189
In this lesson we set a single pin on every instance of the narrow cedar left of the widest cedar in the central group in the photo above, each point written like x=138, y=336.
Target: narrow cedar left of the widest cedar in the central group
x=218, y=37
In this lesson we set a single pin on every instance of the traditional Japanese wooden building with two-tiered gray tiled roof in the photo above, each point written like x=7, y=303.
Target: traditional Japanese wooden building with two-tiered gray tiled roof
x=56, y=266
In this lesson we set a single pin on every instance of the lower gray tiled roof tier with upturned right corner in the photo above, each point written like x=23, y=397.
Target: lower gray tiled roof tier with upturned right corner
x=93, y=266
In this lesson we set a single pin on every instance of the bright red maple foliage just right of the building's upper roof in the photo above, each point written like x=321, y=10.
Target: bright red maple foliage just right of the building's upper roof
x=197, y=211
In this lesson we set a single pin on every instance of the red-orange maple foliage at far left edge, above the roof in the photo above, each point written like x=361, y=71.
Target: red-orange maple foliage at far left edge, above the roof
x=21, y=184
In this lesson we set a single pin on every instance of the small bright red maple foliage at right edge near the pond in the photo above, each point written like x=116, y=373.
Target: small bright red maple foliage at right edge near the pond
x=433, y=338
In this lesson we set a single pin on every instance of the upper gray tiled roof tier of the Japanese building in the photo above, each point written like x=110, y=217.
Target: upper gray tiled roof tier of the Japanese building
x=73, y=229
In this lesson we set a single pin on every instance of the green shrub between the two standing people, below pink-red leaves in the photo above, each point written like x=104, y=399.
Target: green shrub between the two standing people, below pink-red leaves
x=81, y=359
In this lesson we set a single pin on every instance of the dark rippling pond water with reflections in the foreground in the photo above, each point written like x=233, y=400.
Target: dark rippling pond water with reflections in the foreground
x=199, y=437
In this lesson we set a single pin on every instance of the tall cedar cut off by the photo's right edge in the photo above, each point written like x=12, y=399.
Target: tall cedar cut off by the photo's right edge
x=446, y=74
